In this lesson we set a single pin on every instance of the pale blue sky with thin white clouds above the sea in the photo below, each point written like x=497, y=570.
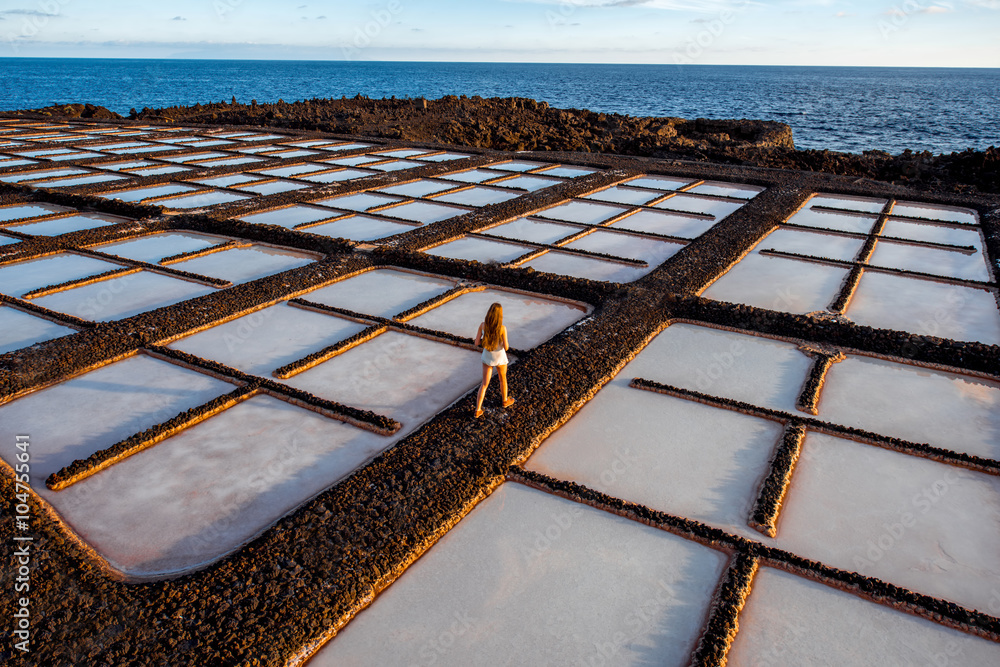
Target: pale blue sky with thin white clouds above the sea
x=907, y=33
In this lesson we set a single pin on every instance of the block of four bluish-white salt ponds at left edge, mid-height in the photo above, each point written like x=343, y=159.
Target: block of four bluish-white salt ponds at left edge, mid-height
x=124, y=295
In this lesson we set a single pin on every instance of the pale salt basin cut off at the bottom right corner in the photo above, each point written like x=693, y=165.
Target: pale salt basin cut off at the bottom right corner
x=789, y=620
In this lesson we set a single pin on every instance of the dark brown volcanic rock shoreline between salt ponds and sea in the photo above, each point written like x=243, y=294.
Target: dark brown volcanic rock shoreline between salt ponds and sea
x=523, y=124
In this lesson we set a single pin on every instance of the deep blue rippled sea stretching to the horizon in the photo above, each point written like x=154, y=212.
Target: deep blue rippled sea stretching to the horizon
x=851, y=109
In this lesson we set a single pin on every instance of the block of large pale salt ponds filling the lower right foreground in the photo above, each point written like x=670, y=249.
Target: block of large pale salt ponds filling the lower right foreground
x=518, y=561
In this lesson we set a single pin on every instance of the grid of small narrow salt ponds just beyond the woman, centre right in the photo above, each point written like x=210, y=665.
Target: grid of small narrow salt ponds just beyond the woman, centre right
x=628, y=221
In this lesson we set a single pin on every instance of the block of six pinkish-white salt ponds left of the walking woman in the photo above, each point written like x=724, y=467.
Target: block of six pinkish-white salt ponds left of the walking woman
x=148, y=514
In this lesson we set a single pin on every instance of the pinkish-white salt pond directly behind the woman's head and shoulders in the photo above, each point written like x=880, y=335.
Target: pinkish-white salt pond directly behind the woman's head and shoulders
x=530, y=320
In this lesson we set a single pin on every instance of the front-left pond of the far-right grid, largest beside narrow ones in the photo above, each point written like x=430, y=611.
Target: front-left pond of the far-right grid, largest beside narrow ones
x=779, y=283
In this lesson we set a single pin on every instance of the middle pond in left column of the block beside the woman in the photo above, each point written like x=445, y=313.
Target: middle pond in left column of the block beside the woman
x=269, y=338
